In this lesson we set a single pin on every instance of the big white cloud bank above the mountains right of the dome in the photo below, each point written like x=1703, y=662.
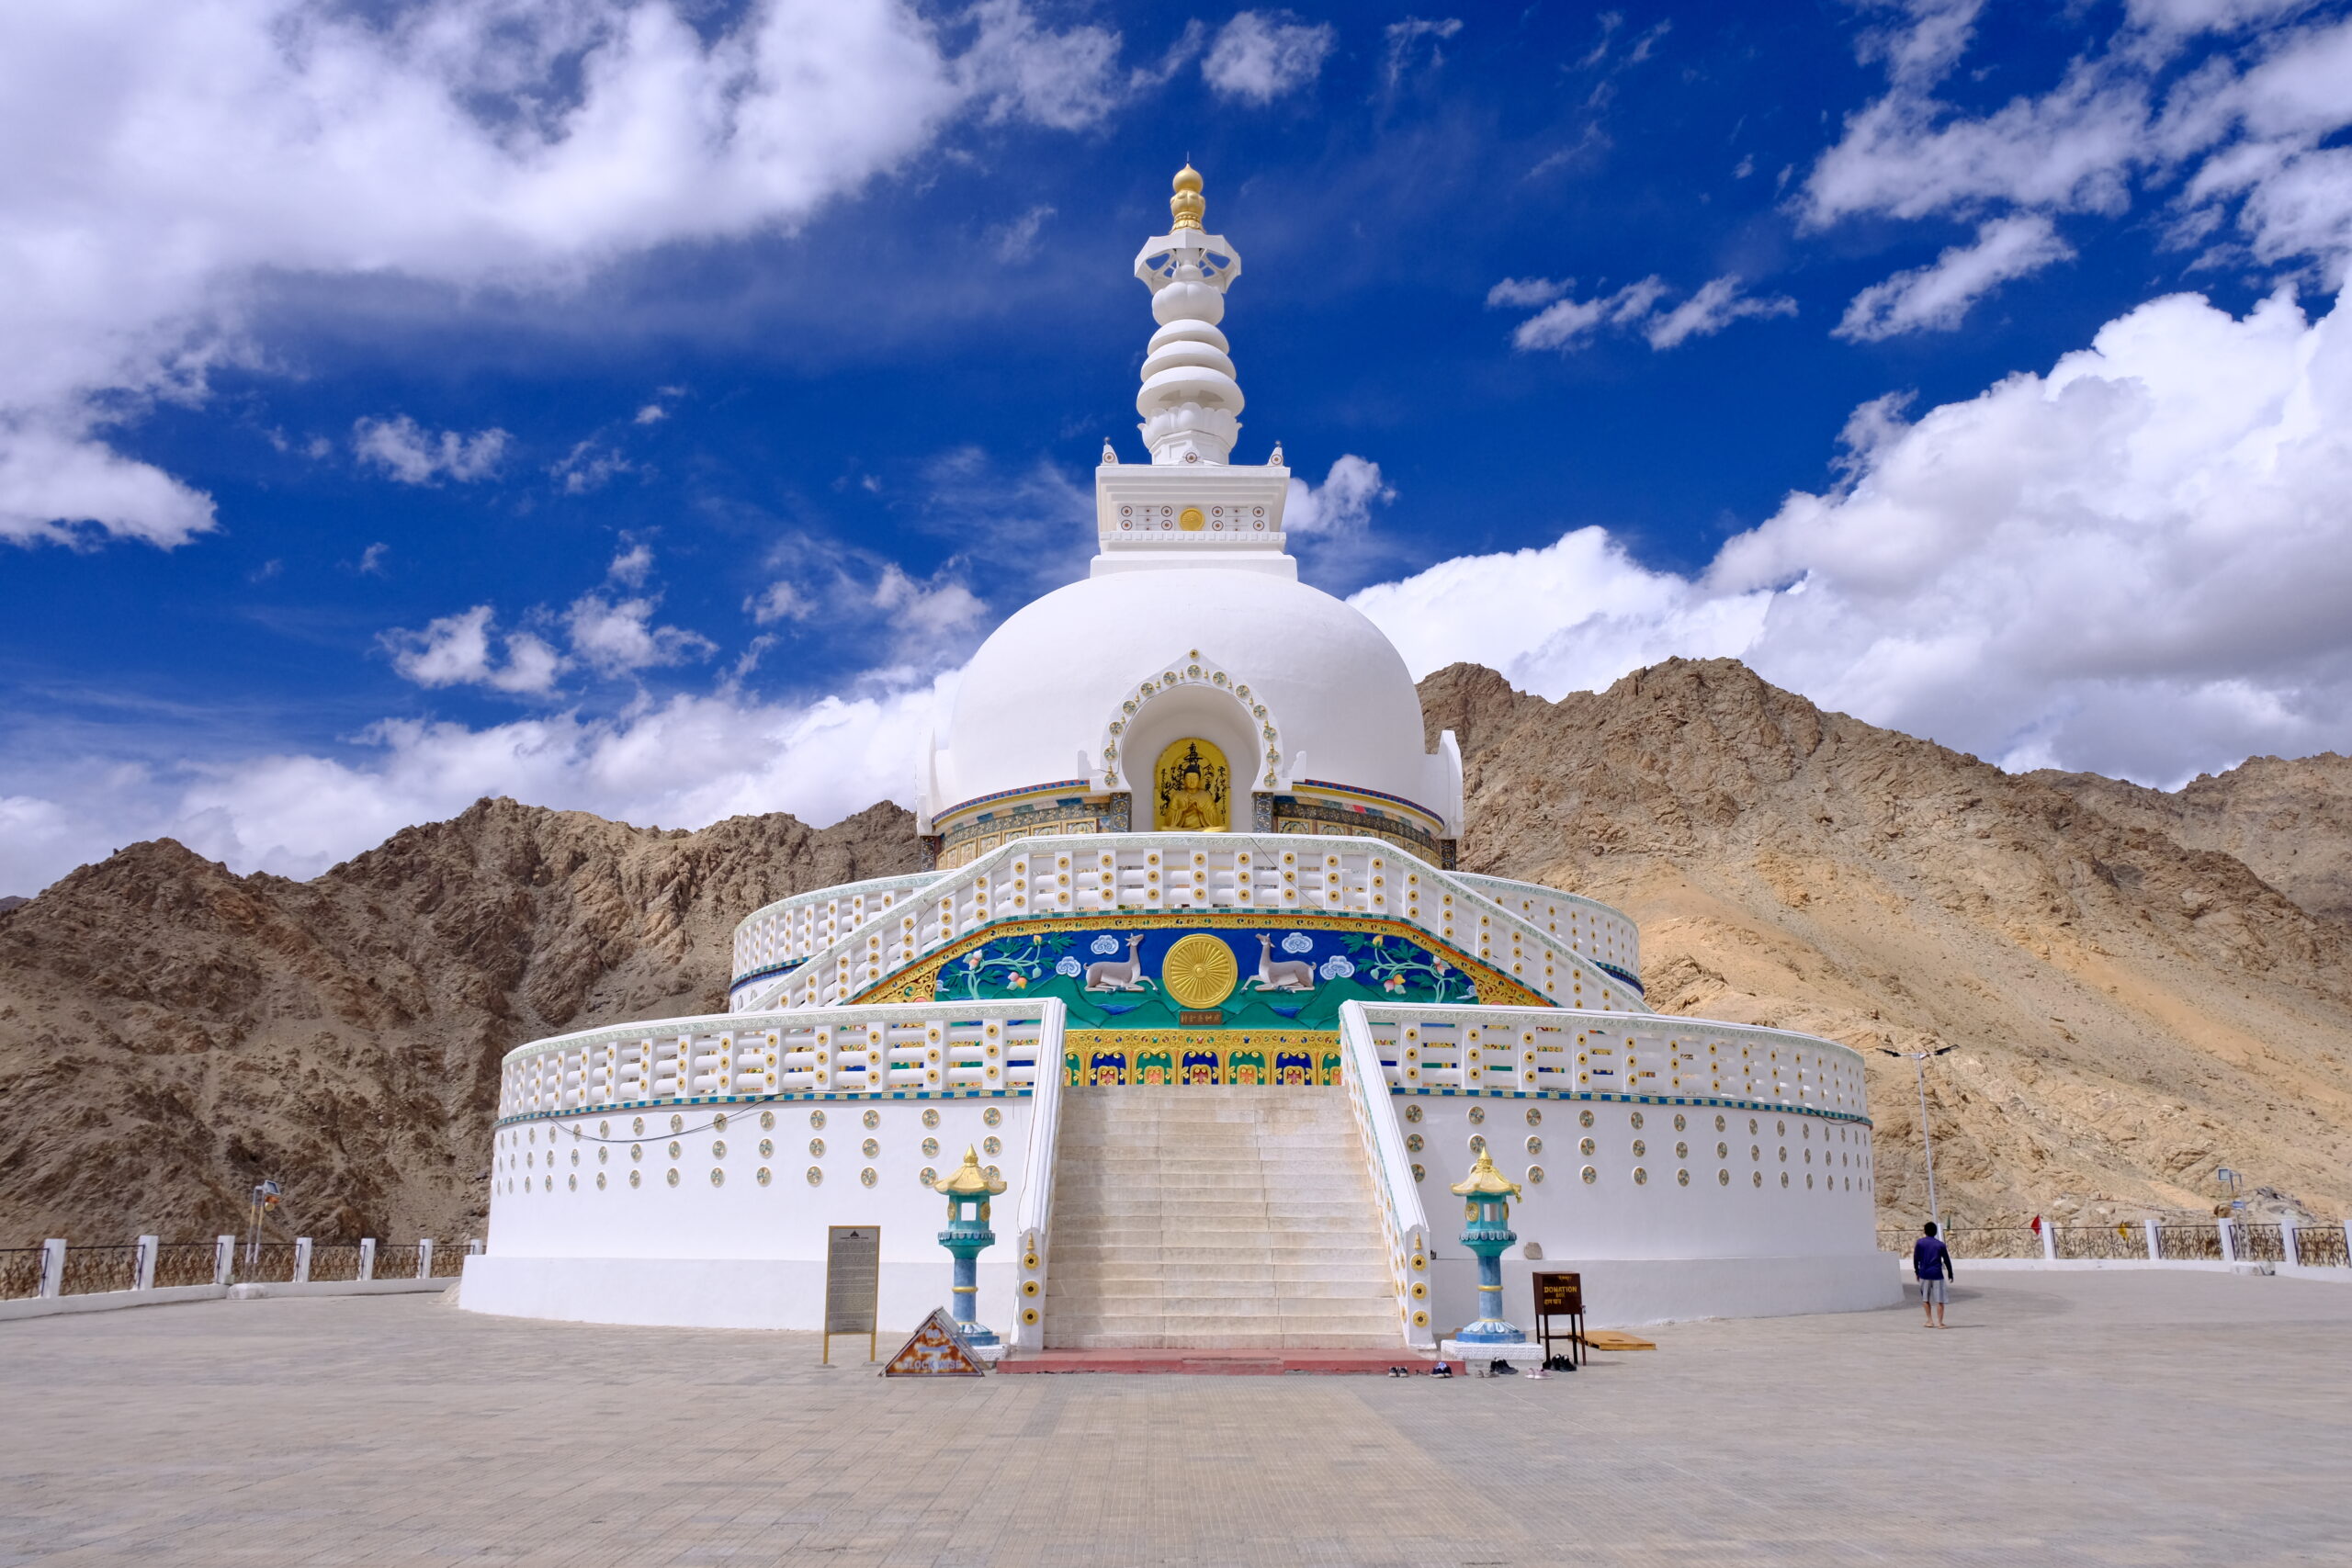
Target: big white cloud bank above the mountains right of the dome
x=2134, y=563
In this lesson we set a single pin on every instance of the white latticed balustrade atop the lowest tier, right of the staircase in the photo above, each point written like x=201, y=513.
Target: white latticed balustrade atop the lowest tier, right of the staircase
x=1516, y=1050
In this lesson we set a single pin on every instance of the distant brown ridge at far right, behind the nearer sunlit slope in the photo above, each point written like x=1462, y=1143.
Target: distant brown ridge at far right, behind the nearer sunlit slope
x=2290, y=822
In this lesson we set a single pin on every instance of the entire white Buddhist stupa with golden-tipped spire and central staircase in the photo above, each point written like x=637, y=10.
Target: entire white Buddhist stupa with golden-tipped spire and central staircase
x=1198, y=984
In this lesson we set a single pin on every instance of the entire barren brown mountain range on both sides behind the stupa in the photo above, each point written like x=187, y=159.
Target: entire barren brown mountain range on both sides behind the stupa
x=2137, y=986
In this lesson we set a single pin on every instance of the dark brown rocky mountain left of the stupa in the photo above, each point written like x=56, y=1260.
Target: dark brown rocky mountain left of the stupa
x=173, y=1033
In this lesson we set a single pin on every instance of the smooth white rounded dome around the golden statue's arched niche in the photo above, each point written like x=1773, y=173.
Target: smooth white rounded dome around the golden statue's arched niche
x=1043, y=692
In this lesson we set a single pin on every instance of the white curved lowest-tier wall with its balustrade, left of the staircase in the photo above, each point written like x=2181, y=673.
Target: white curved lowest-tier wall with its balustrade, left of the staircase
x=714, y=1209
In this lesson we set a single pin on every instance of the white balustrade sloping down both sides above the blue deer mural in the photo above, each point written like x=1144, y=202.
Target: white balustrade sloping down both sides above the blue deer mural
x=1168, y=871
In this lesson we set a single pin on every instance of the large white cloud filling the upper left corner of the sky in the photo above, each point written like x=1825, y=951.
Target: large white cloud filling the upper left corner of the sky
x=194, y=152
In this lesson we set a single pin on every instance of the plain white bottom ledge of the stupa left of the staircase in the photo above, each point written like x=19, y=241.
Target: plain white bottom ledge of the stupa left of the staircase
x=719, y=1292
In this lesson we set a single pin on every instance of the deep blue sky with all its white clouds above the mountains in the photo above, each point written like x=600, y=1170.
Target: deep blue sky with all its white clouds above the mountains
x=648, y=408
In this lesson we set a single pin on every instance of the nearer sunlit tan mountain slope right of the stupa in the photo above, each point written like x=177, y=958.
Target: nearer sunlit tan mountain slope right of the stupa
x=2127, y=1012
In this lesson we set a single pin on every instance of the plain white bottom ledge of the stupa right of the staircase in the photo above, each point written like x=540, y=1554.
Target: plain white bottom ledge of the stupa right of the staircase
x=1636, y=1292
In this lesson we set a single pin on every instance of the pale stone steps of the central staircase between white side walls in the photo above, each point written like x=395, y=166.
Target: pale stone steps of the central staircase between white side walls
x=1215, y=1219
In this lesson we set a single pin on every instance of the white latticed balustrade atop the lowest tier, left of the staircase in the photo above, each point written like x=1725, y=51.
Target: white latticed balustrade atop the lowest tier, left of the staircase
x=730, y=1057
